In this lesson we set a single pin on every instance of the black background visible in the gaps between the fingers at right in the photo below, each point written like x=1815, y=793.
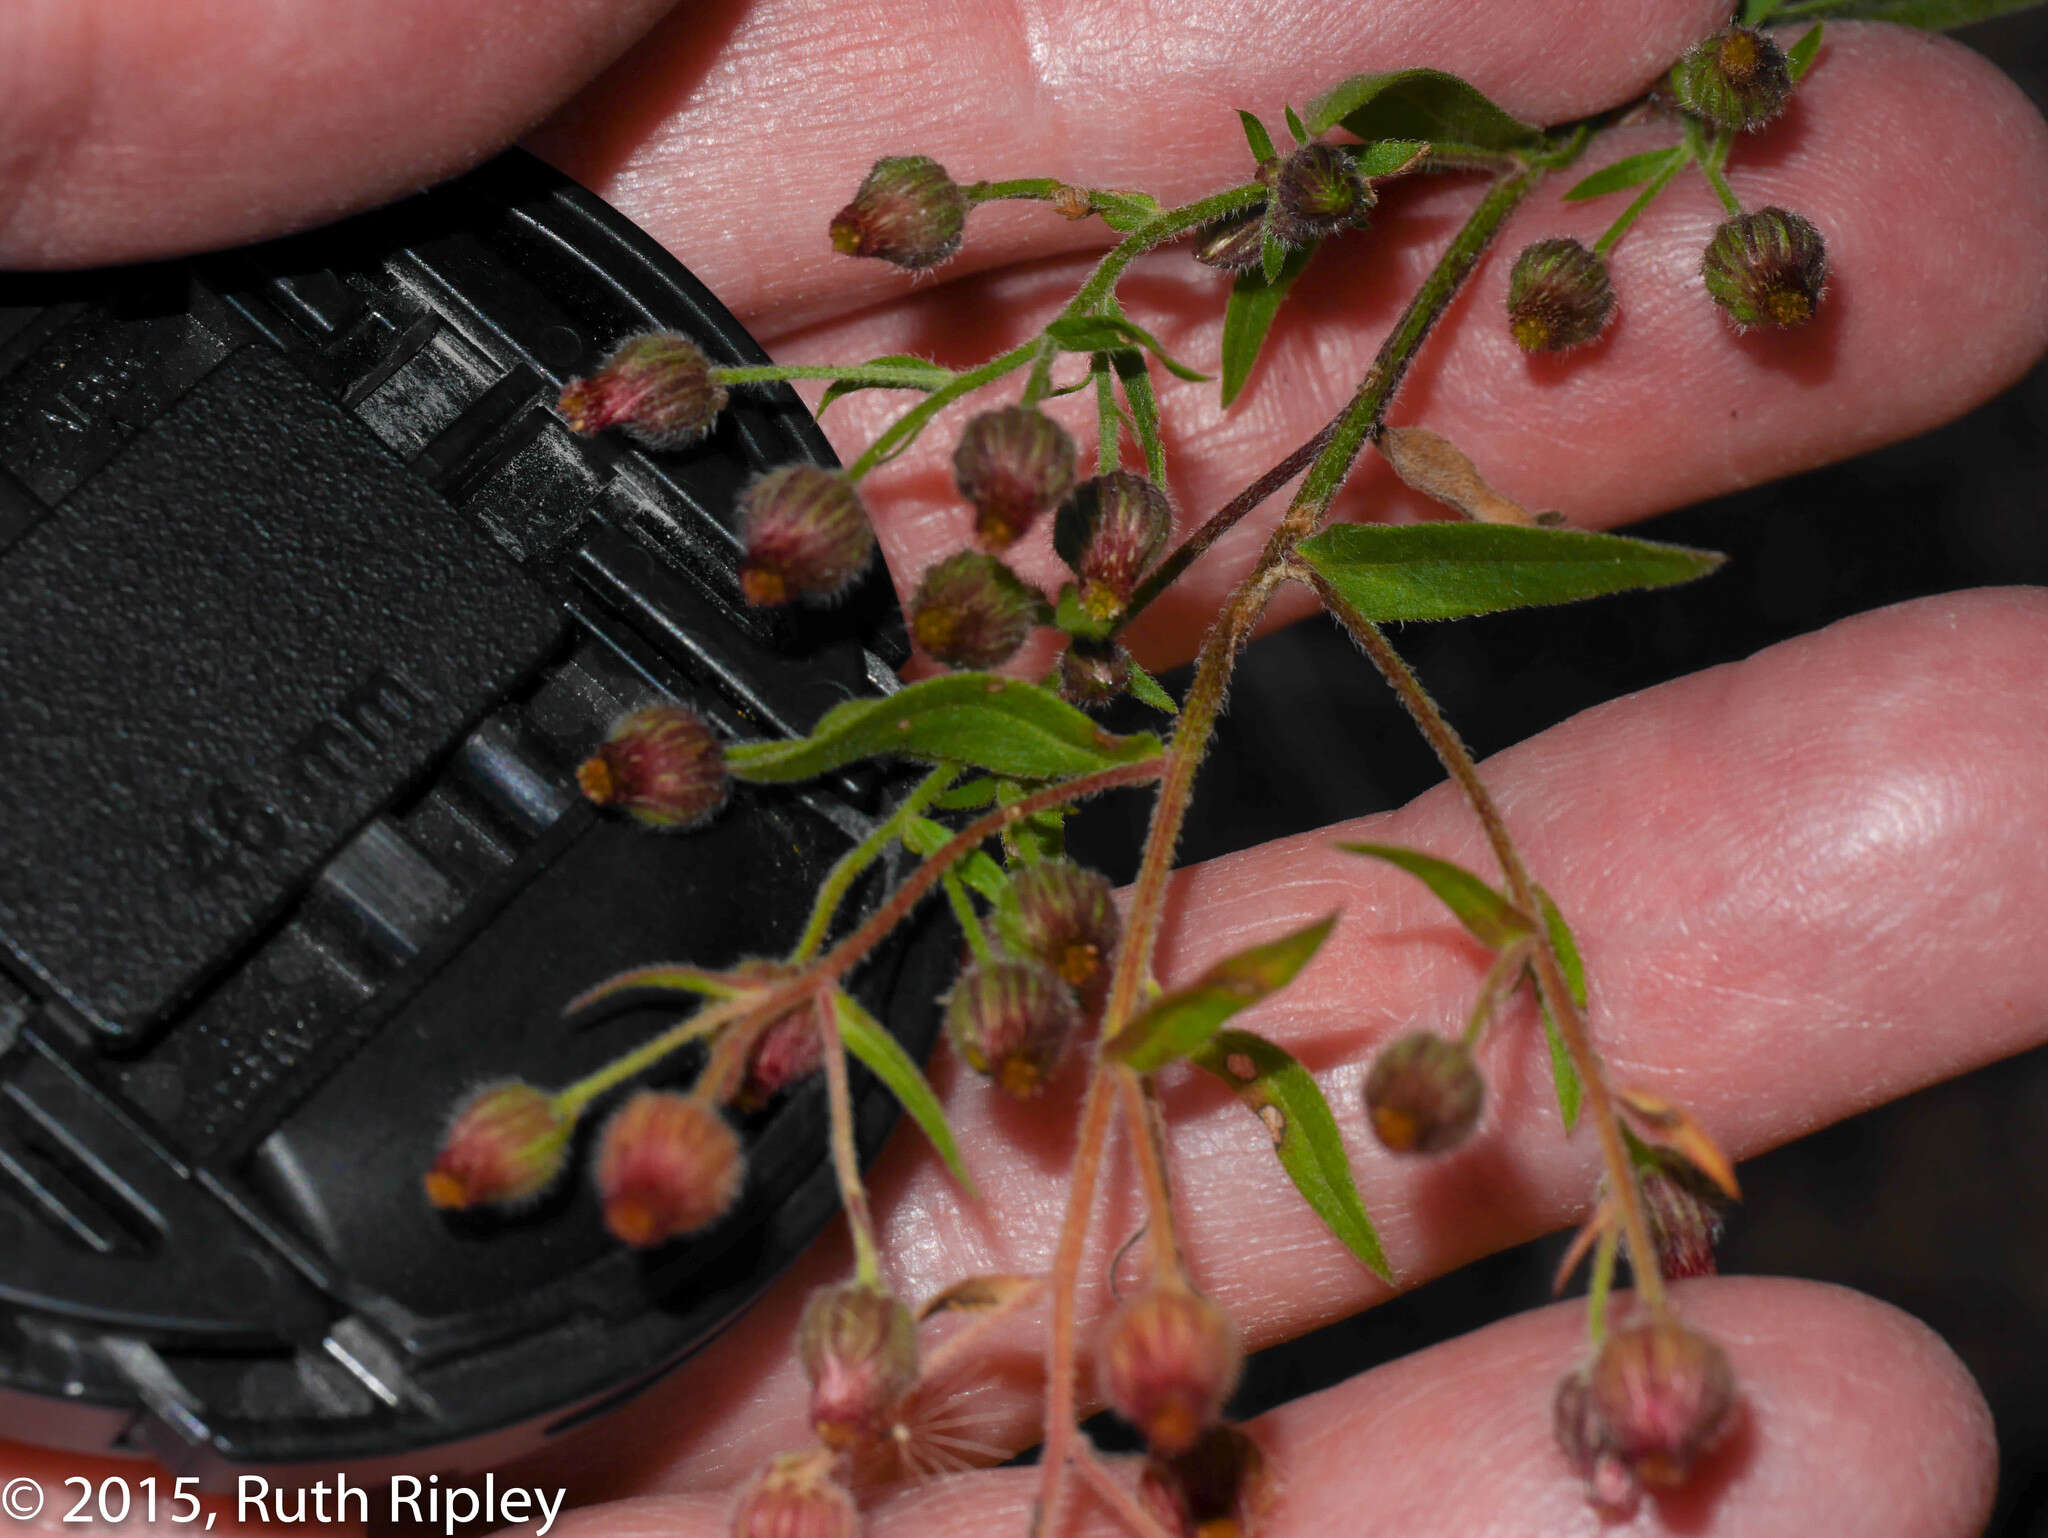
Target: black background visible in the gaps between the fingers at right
x=1934, y=1203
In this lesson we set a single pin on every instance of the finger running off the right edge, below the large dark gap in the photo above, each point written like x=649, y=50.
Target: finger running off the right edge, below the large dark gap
x=1803, y=884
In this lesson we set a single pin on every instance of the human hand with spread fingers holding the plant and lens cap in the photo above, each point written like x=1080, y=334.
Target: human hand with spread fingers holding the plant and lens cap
x=1889, y=759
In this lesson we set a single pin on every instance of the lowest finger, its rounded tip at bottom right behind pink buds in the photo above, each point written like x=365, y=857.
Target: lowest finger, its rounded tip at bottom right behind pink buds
x=1857, y=1420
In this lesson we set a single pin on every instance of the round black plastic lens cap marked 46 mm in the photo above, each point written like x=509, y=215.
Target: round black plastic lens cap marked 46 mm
x=310, y=605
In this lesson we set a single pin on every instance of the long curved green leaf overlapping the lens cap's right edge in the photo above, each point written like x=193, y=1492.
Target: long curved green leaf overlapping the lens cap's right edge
x=996, y=724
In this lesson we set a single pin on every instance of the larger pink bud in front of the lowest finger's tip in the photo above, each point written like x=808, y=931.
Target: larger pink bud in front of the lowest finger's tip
x=1662, y=1398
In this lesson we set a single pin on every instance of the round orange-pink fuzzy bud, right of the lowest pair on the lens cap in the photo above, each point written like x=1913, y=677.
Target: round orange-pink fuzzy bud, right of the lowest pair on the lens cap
x=667, y=1166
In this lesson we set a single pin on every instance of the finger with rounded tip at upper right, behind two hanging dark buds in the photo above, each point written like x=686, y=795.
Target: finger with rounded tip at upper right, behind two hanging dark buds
x=1666, y=411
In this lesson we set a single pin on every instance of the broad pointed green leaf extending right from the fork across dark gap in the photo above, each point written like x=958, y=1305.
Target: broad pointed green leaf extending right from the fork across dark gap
x=1449, y=570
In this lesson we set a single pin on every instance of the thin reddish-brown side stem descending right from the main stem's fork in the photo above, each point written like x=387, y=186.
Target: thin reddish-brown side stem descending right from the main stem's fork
x=1457, y=761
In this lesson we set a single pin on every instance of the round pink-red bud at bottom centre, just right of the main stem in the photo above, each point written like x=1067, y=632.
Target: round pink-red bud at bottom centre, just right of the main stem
x=1166, y=1365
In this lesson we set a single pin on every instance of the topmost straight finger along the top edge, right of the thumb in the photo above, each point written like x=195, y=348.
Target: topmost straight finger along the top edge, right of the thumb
x=738, y=169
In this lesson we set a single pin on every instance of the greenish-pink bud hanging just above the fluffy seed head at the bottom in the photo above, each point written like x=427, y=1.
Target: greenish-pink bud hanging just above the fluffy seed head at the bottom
x=859, y=1349
